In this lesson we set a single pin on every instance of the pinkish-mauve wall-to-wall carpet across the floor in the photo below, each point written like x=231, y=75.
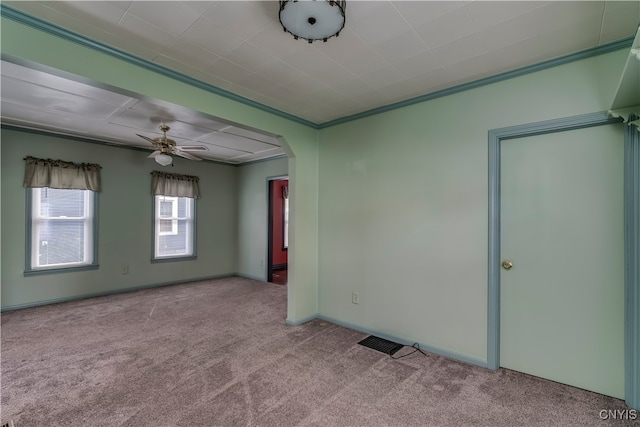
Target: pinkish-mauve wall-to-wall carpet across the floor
x=218, y=353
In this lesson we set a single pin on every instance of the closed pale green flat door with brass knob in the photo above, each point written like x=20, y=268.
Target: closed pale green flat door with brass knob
x=562, y=302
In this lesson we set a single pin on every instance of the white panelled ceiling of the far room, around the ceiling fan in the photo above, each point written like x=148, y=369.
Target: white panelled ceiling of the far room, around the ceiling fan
x=37, y=100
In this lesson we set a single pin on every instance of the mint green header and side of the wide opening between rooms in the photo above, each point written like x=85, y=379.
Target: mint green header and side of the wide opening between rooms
x=29, y=44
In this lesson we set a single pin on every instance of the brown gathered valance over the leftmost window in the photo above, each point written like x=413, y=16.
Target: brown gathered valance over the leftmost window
x=60, y=174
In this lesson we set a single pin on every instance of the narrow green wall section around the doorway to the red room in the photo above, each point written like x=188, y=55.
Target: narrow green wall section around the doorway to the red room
x=253, y=211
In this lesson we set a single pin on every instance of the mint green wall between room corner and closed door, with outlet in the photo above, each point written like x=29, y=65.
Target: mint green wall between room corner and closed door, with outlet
x=403, y=204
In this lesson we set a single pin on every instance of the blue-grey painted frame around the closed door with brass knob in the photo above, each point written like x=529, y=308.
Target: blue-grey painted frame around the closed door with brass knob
x=632, y=237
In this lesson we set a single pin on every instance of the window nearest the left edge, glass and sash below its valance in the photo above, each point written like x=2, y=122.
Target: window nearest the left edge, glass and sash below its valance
x=62, y=228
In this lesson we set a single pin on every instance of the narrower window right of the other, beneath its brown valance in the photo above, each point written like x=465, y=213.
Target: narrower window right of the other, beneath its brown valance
x=174, y=227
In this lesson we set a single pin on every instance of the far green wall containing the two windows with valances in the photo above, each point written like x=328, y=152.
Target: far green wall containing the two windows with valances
x=124, y=215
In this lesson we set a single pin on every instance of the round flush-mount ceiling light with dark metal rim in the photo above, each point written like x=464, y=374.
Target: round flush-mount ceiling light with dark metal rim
x=312, y=19
